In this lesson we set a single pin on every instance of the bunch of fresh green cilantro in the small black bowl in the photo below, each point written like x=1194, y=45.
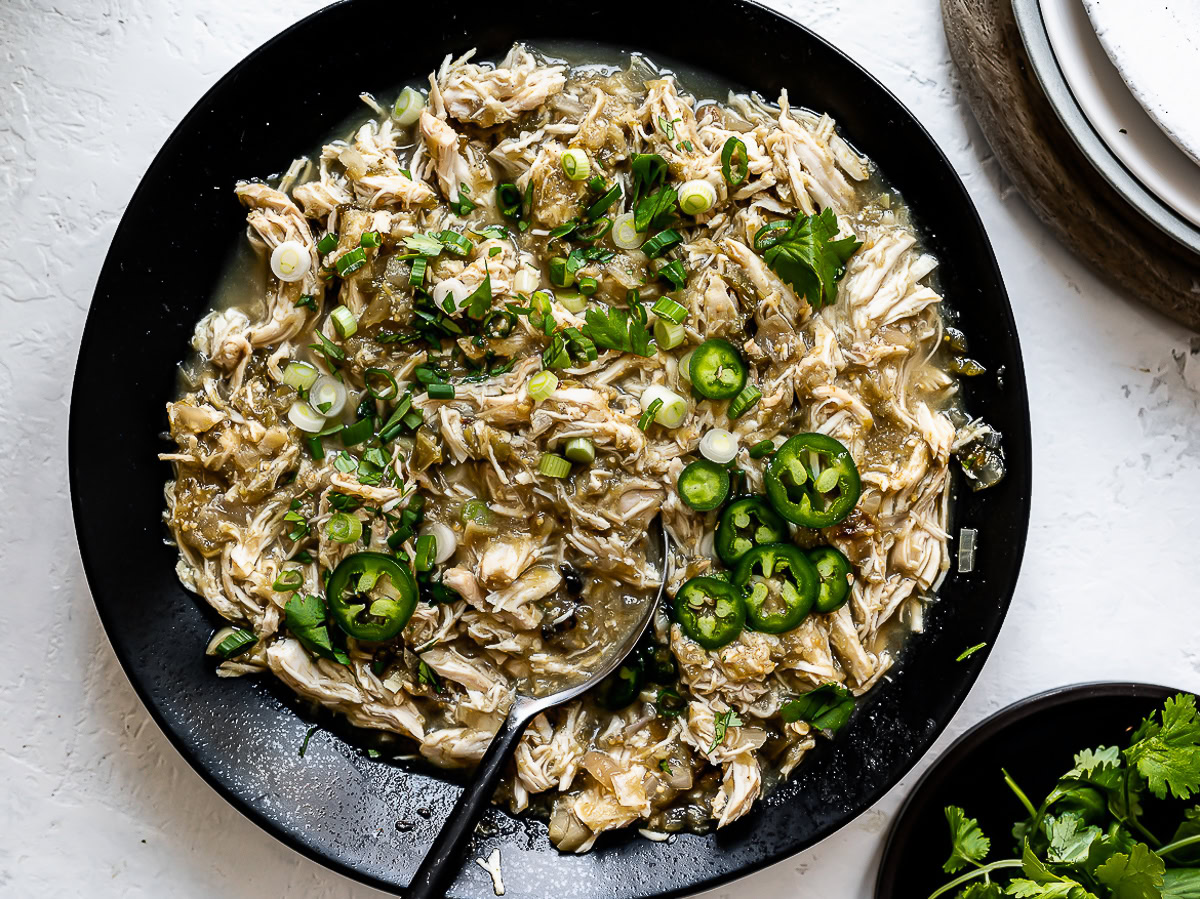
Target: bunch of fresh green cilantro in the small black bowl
x=1088, y=840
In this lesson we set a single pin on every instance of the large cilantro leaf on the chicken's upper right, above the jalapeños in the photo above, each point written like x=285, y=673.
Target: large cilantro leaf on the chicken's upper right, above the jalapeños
x=807, y=256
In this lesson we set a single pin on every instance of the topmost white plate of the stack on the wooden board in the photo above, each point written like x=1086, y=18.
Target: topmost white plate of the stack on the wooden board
x=1156, y=49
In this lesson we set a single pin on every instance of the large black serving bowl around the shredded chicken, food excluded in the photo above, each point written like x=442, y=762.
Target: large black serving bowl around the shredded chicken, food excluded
x=337, y=805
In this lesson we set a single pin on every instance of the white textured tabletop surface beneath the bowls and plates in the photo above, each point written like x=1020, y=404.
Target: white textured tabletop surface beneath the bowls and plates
x=93, y=799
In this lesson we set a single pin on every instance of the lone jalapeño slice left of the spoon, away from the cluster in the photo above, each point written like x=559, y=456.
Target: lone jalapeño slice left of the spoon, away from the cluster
x=371, y=596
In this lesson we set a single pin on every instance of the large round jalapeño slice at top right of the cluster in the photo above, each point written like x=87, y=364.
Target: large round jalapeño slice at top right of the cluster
x=813, y=482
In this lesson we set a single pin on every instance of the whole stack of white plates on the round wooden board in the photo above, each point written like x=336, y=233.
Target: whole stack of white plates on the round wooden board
x=1124, y=77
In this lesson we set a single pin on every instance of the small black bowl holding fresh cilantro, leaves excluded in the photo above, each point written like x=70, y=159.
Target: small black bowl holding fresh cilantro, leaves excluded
x=1035, y=741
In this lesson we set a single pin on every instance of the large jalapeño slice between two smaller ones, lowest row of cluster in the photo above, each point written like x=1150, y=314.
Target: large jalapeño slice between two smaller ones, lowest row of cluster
x=781, y=586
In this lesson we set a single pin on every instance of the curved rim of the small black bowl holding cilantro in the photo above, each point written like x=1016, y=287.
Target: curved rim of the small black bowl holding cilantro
x=890, y=879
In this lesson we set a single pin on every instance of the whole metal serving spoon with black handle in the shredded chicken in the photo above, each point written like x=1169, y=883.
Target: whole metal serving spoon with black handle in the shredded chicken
x=445, y=859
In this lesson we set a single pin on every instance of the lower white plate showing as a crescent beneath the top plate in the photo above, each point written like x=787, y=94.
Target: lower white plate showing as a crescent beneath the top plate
x=1113, y=112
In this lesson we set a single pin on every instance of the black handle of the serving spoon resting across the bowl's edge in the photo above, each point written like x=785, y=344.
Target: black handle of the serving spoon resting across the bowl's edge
x=445, y=859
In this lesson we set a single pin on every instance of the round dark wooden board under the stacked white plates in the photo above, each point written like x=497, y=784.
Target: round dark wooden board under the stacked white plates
x=1058, y=182
